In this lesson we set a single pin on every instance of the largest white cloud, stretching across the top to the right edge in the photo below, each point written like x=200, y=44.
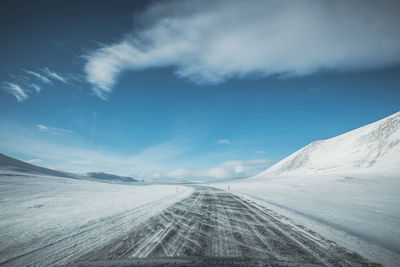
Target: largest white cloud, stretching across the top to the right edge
x=211, y=41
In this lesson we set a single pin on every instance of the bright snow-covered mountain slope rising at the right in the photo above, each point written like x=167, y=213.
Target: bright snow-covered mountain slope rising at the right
x=372, y=149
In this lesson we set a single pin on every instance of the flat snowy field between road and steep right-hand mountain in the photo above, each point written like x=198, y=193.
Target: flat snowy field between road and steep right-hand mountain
x=360, y=213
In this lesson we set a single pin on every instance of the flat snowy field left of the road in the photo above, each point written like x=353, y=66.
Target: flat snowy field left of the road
x=43, y=219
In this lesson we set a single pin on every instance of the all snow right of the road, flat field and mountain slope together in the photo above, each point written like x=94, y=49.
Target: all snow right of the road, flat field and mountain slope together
x=347, y=187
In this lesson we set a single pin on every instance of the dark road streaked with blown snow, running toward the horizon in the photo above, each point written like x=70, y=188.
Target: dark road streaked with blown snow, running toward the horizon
x=216, y=223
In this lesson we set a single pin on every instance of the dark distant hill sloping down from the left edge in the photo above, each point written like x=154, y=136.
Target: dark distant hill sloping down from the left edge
x=13, y=164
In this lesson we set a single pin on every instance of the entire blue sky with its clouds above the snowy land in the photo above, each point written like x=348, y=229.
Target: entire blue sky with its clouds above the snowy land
x=162, y=90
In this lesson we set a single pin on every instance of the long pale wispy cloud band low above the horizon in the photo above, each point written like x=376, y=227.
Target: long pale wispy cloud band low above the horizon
x=154, y=162
